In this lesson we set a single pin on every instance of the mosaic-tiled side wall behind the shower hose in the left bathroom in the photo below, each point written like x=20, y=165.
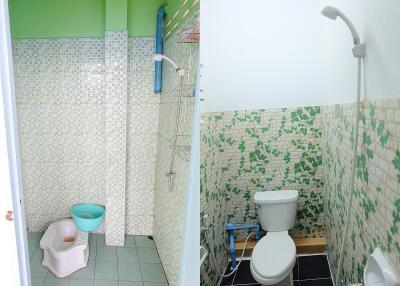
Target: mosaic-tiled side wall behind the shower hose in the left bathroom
x=169, y=204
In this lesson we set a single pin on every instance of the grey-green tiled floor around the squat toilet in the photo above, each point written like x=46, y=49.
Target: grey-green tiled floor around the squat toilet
x=136, y=264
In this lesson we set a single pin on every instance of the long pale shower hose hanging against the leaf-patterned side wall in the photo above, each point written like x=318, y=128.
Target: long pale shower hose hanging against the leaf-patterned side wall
x=352, y=179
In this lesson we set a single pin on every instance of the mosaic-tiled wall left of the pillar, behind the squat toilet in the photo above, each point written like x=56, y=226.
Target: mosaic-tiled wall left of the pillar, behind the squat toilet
x=60, y=89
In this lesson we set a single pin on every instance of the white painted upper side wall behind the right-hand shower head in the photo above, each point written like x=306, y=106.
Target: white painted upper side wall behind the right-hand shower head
x=378, y=23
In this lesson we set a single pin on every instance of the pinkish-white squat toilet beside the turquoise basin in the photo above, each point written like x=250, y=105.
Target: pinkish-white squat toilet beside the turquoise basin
x=66, y=249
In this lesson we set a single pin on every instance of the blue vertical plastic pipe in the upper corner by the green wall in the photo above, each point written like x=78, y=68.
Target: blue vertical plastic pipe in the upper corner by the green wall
x=159, y=48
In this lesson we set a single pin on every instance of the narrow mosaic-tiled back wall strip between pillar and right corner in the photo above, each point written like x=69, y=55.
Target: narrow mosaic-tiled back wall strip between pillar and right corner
x=143, y=106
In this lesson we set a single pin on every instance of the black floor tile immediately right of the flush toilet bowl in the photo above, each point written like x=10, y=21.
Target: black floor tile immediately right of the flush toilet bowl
x=313, y=267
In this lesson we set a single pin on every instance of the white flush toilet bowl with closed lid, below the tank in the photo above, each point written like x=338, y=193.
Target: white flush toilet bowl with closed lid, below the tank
x=273, y=259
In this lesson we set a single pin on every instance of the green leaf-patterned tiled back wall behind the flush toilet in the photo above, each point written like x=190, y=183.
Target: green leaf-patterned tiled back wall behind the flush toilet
x=247, y=151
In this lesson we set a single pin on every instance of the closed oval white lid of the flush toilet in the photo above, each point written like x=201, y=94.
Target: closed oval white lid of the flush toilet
x=273, y=255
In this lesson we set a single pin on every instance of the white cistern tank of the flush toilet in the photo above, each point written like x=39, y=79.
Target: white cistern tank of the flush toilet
x=276, y=209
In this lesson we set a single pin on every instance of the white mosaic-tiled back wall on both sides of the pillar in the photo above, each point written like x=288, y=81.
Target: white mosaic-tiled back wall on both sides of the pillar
x=61, y=106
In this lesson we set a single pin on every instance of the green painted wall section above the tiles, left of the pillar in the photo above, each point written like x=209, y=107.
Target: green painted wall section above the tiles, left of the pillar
x=57, y=18
